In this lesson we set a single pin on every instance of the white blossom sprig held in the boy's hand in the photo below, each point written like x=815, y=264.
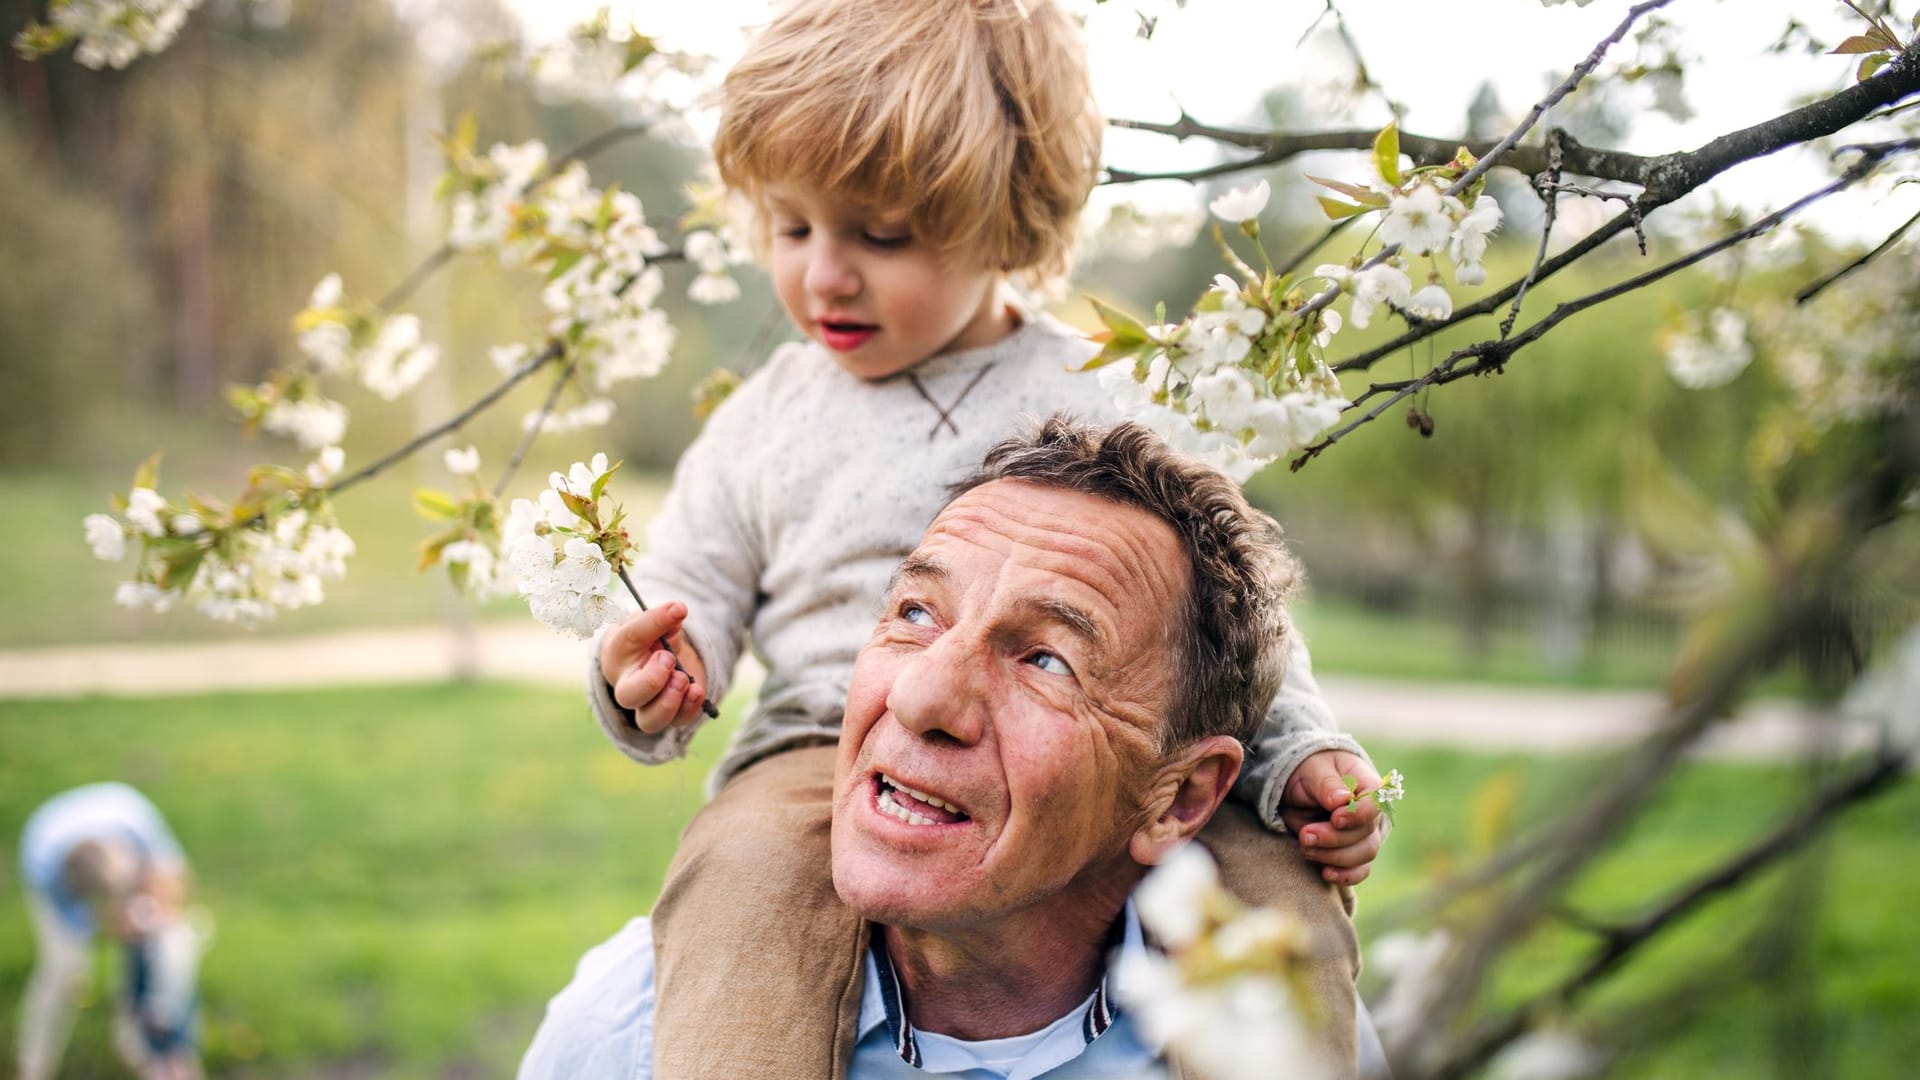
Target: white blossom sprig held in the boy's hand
x=562, y=552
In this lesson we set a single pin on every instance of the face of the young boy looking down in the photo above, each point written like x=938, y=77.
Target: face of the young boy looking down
x=880, y=299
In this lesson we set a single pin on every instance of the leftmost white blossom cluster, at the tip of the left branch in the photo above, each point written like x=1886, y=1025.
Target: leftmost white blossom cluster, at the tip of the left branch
x=270, y=552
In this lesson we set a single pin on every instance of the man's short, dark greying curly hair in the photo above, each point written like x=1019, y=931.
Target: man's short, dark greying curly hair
x=1234, y=635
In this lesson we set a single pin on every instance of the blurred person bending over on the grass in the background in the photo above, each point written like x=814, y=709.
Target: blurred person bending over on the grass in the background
x=103, y=858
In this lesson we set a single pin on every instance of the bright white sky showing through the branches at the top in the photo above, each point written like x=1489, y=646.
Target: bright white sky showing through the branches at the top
x=1218, y=59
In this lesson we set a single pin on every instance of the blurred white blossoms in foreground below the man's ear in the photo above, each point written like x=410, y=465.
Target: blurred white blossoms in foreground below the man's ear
x=1226, y=996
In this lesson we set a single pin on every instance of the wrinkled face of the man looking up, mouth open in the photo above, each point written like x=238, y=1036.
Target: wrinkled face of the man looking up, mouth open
x=1020, y=677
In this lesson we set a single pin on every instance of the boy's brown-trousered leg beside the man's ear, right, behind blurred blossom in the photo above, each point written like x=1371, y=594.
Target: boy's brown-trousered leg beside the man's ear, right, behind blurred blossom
x=1268, y=870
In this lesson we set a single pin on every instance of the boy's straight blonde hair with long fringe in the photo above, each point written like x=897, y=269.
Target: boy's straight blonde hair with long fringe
x=974, y=116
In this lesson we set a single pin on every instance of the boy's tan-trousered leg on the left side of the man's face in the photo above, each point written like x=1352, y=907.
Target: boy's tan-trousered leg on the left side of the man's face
x=756, y=956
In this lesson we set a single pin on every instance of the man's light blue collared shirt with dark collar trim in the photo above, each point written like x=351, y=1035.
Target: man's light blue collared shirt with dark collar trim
x=602, y=1029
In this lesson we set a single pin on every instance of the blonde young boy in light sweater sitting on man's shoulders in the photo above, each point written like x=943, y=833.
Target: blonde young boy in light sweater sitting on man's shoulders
x=903, y=159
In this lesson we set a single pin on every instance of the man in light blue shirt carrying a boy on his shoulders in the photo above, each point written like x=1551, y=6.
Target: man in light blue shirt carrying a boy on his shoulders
x=1055, y=699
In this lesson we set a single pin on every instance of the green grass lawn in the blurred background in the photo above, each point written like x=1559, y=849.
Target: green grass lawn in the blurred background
x=402, y=877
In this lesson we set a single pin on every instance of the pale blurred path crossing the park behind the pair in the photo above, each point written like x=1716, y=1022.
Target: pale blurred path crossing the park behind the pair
x=1470, y=716
